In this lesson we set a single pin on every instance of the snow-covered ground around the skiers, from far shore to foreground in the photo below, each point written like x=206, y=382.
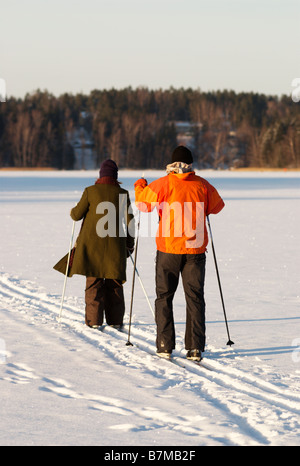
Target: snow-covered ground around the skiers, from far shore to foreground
x=65, y=384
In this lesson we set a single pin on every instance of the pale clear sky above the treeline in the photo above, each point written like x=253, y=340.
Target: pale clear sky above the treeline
x=80, y=45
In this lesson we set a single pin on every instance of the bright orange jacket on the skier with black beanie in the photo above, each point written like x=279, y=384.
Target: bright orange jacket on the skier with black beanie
x=183, y=201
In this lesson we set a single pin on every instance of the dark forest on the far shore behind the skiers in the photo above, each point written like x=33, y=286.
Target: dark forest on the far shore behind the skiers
x=139, y=128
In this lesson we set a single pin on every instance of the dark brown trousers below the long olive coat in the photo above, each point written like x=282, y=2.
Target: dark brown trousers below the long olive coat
x=104, y=295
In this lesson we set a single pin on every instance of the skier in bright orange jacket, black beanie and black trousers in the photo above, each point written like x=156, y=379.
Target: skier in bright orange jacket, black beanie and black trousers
x=183, y=200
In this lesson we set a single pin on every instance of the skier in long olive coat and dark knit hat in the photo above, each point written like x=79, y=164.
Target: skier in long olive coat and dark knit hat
x=102, y=247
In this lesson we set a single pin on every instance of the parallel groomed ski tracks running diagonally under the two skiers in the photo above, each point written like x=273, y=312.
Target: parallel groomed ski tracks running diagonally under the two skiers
x=247, y=393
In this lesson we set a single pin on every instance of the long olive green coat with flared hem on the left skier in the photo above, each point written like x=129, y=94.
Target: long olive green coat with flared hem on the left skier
x=106, y=233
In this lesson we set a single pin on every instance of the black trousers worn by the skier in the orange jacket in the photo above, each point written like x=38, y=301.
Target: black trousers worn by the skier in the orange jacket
x=168, y=269
